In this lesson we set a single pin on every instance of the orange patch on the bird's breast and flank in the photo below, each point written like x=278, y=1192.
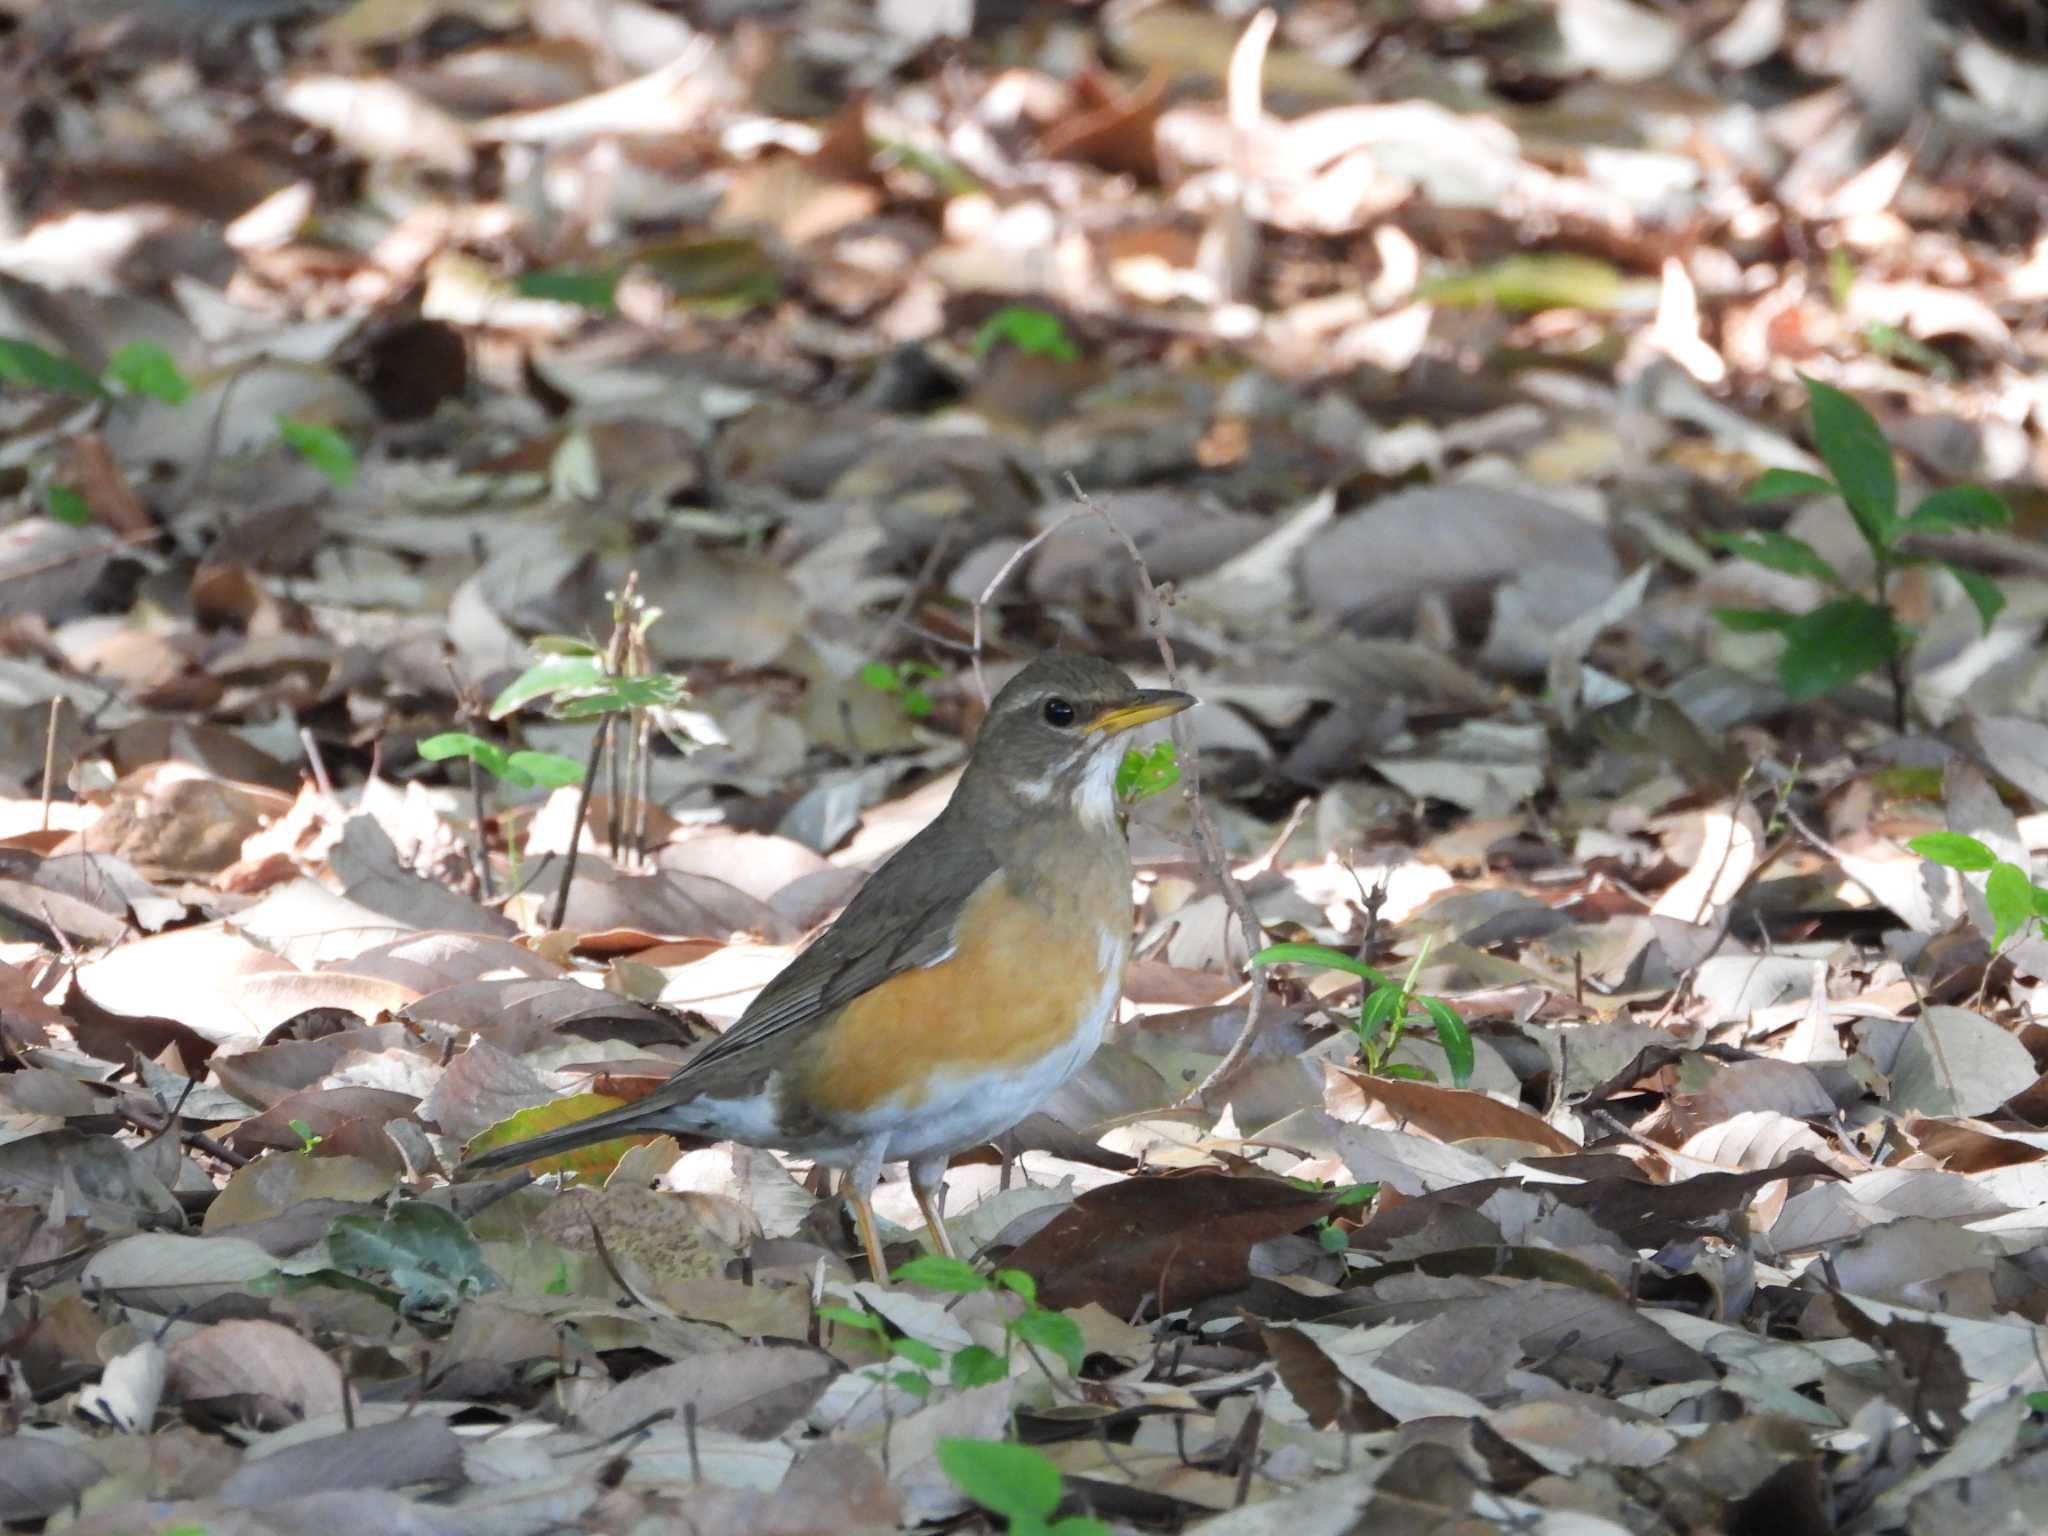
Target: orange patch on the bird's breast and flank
x=1019, y=984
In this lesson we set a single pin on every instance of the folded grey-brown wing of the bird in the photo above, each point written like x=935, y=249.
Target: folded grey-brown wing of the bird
x=902, y=919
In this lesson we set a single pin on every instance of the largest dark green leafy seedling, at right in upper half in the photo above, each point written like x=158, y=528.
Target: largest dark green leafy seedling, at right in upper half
x=1857, y=632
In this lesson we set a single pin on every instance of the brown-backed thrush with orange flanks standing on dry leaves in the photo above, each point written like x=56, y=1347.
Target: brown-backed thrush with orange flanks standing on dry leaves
x=968, y=978
